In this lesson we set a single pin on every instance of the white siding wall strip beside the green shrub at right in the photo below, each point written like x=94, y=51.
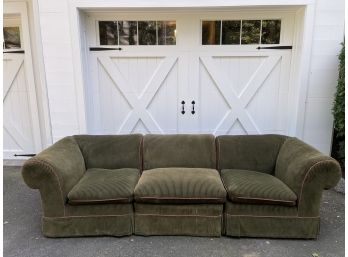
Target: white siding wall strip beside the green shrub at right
x=327, y=38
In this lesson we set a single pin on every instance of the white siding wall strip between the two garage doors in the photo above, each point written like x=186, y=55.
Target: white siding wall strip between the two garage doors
x=57, y=53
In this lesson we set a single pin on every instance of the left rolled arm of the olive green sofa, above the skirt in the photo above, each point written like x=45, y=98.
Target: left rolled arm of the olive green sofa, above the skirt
x=54, y=172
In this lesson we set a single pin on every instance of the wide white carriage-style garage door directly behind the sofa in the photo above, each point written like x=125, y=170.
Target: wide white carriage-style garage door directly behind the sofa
x=212, y=72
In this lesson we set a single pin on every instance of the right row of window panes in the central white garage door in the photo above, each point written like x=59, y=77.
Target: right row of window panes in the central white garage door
x=241, y=32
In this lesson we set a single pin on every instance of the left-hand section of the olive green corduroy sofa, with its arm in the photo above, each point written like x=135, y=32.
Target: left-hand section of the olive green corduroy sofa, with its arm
x=59, y=172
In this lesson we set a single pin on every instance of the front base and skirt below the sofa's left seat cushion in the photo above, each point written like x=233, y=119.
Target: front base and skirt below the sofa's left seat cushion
x=91, y=220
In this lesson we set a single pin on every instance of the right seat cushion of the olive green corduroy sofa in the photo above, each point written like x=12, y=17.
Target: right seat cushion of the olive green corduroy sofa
x=253, y=187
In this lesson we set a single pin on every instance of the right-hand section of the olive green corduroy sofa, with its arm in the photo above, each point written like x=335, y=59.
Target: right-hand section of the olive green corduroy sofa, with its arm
x=293, y=170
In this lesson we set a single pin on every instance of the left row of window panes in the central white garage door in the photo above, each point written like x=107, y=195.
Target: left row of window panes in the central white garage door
x=137, y=32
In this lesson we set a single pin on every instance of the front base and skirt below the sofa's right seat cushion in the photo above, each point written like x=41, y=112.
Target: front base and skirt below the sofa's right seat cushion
x=271, y=221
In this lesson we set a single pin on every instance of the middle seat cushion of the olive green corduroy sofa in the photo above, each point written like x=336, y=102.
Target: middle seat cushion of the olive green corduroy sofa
x=180, y=185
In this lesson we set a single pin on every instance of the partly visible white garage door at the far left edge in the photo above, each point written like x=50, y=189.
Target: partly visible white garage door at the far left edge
x=21, y=123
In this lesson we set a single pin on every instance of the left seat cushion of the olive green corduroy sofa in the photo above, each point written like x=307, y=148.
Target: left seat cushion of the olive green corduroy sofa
x=100, y=186
